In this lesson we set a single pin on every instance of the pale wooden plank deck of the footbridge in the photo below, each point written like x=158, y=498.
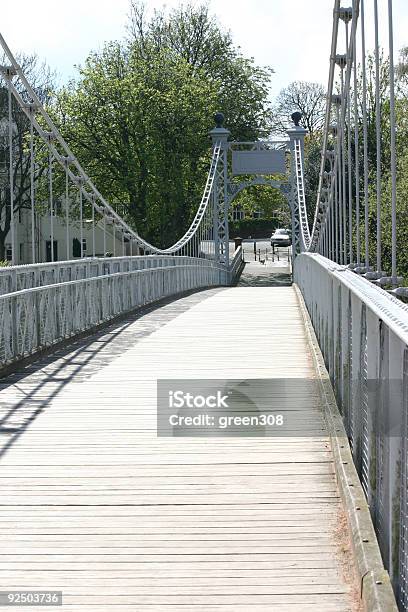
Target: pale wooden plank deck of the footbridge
x=94, y=504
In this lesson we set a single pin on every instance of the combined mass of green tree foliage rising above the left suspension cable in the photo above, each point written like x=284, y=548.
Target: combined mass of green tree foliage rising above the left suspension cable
x=138, y=115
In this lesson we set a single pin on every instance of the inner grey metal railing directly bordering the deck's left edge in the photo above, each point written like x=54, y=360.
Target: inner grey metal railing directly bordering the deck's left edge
x=34, y=319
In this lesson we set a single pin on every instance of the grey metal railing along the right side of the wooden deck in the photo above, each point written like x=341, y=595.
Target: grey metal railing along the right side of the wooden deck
x=363, y=334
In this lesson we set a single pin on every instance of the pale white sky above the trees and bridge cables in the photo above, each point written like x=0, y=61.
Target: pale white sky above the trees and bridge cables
x=292, y=36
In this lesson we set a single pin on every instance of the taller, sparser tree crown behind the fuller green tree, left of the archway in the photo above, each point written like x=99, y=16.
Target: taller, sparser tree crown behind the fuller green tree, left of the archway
x=193, y=34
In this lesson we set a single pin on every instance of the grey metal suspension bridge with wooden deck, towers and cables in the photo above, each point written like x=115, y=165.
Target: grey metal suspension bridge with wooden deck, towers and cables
x=297, y=498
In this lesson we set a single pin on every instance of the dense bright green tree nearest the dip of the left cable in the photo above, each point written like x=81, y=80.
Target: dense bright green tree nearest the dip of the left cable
x=138, y=129
